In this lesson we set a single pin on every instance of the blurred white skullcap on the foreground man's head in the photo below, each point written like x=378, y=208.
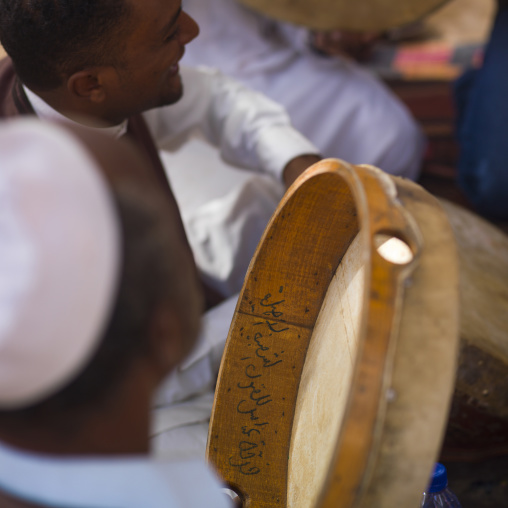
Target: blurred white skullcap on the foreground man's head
x=59, y=259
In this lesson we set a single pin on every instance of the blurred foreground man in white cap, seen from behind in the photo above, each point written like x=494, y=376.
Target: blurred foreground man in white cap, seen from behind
x=99, y=301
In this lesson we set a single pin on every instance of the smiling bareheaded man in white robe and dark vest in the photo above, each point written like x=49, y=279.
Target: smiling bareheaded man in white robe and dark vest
x=114, y=65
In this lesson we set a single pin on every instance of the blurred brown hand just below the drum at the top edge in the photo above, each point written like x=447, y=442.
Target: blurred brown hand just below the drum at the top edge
x=355, y=45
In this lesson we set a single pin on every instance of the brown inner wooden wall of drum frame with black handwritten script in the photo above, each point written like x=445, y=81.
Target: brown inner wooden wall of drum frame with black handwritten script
x=258, y=382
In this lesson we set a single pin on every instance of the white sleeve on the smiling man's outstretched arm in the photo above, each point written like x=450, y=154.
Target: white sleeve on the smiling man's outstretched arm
x=250, y=130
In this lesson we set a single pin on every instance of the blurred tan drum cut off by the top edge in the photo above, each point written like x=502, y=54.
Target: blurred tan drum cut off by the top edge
x=361, y=16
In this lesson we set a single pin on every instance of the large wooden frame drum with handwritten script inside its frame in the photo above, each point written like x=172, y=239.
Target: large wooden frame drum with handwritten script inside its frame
x=339, y=366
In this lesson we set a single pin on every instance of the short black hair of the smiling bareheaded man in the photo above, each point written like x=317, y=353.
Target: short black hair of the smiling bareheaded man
x=49, y=40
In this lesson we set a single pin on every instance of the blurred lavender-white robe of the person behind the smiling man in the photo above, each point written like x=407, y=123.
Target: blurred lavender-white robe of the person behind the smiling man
x=344, y=110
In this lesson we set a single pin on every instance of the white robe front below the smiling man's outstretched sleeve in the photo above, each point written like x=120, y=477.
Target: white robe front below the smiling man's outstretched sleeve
x=224, y=210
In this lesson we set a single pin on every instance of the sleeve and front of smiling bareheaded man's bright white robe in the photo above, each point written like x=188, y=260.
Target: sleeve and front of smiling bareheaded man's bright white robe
x=251, y=132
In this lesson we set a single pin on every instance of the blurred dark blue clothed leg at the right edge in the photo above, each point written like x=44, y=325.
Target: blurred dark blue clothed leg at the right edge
x=482, y=102
